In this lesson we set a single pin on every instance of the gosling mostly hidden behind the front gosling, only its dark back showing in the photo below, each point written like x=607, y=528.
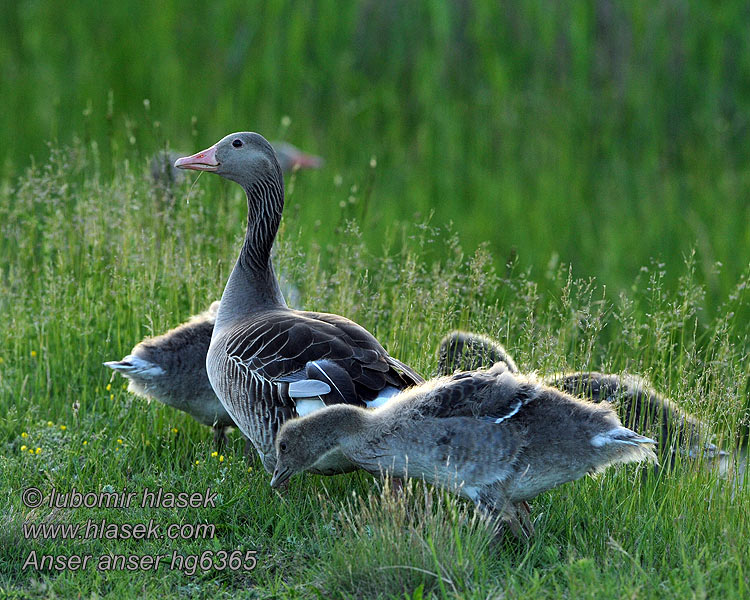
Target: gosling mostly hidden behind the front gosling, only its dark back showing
x=636, y=402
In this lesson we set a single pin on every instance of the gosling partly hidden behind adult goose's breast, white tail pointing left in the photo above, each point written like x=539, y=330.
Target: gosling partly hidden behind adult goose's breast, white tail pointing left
x=171, y=368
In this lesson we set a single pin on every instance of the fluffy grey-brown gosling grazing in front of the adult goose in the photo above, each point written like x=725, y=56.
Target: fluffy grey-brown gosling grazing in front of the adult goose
x=495, y=437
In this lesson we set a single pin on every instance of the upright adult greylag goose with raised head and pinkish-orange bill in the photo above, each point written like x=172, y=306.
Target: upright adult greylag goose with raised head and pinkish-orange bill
x=266, y=362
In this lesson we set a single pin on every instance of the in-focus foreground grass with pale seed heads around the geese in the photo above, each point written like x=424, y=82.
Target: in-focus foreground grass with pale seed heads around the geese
x=92, y=259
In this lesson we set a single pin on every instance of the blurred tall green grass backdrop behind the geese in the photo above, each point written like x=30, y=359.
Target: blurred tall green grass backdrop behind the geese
x=597, y=134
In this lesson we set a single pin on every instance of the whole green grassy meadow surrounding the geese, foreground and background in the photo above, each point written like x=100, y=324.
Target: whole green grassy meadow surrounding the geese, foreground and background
x=572, y=182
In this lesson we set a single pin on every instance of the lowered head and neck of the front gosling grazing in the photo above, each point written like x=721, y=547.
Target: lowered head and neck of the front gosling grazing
x=302, y=442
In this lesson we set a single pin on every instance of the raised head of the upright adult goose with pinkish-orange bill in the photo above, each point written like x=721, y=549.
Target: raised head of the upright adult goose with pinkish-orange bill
x=243, y=157
